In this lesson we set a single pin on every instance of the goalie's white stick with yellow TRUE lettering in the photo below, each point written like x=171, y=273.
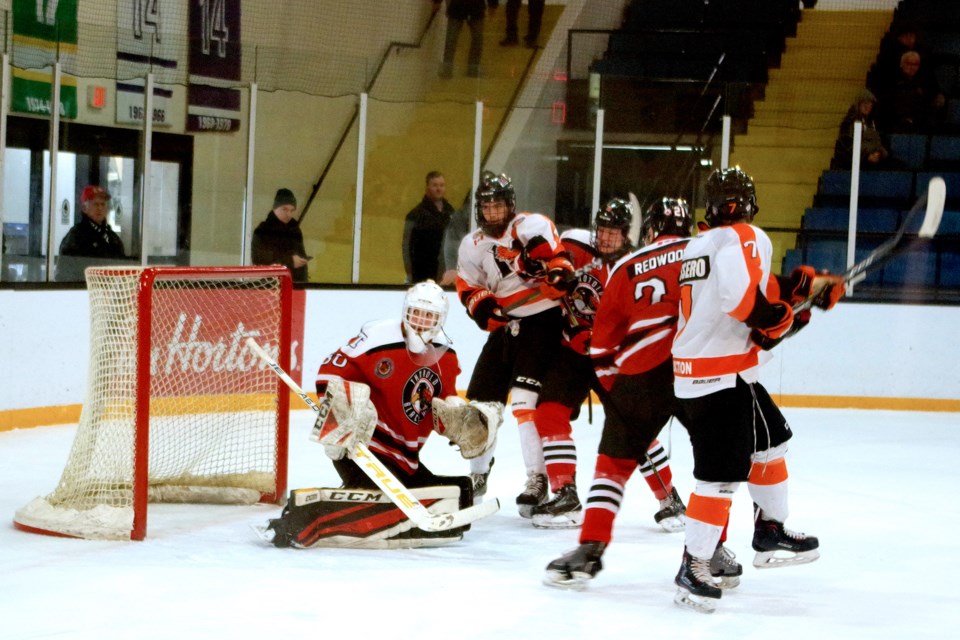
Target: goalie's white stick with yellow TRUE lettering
x=369, y=464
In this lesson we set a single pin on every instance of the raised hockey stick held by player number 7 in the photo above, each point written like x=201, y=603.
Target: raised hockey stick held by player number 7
x=930, y=204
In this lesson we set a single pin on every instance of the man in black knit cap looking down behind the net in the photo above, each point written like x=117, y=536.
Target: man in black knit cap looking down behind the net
x=279, y=240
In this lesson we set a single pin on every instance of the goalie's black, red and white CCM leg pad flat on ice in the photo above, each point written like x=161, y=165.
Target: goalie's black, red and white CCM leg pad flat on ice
x=359, y=518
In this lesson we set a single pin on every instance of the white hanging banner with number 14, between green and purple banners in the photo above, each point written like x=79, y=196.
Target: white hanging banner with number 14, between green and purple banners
x=147, y=42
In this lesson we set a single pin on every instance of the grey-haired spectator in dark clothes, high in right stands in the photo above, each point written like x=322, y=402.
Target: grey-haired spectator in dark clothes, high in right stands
x=913, y=103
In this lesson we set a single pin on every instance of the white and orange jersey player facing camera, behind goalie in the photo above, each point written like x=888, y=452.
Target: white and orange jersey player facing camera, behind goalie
x=508, y=259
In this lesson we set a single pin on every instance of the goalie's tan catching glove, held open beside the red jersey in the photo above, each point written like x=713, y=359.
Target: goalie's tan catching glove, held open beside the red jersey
x=471, y=426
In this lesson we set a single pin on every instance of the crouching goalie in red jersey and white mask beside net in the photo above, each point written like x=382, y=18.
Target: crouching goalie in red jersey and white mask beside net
x=388, y=388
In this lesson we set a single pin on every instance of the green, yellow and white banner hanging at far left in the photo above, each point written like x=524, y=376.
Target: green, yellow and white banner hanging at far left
x=41, y=28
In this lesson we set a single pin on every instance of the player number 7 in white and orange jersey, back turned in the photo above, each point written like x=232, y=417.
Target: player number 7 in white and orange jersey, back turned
x=733, y=311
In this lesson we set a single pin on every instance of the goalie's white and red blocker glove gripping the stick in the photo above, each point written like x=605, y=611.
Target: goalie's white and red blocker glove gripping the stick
x=346, y=419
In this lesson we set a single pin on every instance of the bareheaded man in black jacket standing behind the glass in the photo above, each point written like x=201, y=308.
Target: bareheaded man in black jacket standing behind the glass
x=423, y=231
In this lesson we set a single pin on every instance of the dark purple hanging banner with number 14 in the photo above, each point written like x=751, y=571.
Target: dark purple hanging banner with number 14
x=213, y=104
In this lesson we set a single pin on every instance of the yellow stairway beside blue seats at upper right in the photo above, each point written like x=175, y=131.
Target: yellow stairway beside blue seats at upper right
x=790, y=139
